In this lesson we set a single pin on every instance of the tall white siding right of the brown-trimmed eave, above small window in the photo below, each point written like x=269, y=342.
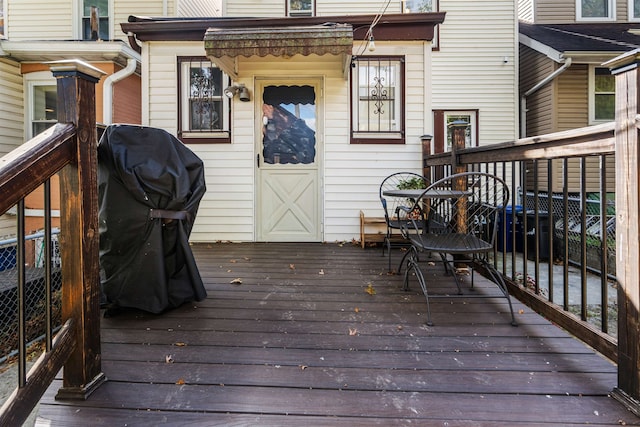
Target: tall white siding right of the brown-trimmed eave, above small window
x=476, y=66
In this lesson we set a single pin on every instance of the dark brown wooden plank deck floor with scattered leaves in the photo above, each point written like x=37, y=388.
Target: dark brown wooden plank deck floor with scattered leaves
x=300, y=342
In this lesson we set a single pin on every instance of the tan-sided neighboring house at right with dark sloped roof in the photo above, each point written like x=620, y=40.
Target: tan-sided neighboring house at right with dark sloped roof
x=563, y=85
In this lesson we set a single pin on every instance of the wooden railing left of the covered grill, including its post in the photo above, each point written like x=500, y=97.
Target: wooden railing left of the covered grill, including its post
x=67, y=149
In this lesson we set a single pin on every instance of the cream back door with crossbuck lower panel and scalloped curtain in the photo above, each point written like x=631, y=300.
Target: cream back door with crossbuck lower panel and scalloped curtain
x=288, y=154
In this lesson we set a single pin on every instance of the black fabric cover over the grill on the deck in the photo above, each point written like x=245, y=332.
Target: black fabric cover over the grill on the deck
x=150, y=186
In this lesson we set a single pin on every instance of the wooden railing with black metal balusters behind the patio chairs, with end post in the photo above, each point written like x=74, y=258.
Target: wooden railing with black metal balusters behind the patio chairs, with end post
x=524, y=163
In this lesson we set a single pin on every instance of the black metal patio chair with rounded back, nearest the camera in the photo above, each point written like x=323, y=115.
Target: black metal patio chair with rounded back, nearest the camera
x=459, y=222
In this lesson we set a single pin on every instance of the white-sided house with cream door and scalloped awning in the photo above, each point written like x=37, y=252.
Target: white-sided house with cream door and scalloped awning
x=324, y=99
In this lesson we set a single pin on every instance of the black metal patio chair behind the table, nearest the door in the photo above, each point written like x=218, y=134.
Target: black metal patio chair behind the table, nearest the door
x=391, y=205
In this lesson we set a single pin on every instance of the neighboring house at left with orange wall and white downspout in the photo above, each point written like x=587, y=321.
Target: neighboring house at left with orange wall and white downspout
x=35, y=33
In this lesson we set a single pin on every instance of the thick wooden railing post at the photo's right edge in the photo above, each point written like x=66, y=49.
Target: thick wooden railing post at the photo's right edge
x=625, y=69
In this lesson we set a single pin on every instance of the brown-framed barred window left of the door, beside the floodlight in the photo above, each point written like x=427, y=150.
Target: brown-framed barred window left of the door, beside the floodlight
x=204, y=111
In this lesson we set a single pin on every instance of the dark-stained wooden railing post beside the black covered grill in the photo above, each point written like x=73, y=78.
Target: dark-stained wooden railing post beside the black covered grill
x=79, y=238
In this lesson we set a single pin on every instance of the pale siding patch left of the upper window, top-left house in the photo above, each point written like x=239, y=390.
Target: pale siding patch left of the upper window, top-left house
x=38, y=20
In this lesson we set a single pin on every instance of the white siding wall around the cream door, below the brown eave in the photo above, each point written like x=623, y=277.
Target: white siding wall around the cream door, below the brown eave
x=351, y=173
